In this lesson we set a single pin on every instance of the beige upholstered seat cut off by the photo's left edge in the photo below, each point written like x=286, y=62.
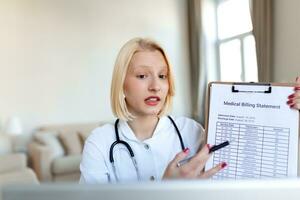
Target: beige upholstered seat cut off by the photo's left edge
x=13, y=169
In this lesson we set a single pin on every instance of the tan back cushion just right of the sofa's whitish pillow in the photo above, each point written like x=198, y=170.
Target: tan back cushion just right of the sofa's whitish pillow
x=71, y=142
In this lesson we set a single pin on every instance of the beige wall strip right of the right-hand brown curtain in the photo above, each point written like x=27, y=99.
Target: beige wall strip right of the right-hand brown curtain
x=286, y=40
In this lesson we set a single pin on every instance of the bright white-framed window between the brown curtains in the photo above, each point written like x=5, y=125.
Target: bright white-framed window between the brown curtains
x=235, y=41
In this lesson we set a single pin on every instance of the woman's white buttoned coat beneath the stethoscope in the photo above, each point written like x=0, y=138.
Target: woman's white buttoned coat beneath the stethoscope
x=152, y=155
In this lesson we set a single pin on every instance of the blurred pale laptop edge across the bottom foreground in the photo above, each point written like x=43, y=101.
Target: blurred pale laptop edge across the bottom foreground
x=176, y=190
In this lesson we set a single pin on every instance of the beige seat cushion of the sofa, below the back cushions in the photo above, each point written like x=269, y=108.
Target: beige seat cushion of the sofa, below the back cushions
x=66, y=164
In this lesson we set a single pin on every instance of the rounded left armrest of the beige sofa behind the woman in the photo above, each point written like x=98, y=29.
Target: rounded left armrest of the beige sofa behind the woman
x=41, y=159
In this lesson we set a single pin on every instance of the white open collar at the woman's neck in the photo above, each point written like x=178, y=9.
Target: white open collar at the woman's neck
x=127, y=132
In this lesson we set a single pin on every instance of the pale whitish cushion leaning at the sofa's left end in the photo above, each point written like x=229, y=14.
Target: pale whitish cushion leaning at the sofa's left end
x=50, y=139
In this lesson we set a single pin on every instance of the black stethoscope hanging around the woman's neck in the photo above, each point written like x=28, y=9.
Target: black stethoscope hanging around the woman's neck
x=119, y=141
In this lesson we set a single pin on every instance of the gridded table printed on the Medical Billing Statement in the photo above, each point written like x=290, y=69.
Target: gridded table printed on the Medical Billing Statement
x=254, y=151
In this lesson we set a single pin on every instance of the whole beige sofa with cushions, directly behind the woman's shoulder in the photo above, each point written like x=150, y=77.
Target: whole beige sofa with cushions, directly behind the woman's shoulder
x=55, y=151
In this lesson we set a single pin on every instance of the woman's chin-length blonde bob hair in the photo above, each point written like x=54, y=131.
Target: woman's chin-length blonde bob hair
x=124, y=57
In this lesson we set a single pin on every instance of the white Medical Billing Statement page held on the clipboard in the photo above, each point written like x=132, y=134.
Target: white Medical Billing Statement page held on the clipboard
x=261, y=128
